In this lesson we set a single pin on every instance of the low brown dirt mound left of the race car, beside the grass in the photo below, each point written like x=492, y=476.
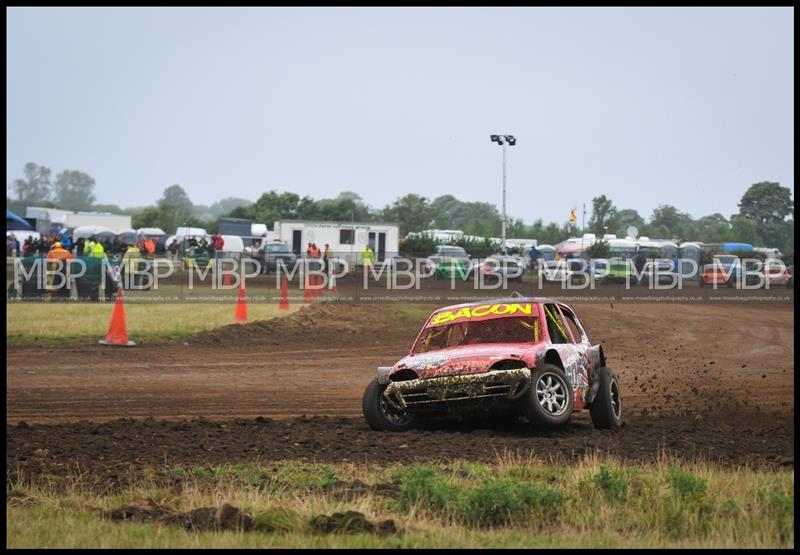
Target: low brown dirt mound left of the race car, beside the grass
x=334, y=324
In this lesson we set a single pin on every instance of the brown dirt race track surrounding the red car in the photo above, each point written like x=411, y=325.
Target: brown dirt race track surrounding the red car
x=698, y=380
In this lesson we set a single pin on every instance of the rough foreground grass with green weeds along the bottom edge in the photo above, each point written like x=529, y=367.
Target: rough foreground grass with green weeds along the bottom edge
x=513, y=502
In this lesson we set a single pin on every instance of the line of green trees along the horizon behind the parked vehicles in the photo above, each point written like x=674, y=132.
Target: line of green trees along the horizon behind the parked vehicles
x=765, y=217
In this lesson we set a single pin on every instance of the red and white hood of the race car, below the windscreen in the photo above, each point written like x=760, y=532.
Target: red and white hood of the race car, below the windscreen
x=472, y=359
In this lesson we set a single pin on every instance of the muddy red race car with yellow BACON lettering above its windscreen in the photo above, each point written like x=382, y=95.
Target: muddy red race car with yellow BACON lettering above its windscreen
x=528, y=357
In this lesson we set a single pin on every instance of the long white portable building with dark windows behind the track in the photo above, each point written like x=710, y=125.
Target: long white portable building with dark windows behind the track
x=346, y=239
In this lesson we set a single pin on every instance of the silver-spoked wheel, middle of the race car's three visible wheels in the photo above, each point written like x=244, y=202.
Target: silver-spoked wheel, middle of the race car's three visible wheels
x=550, y=399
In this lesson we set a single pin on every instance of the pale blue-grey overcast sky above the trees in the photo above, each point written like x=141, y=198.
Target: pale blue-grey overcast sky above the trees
x=648, y=106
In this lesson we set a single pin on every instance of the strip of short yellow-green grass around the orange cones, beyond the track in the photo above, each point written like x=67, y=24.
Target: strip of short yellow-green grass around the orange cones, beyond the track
x=57, y=322
